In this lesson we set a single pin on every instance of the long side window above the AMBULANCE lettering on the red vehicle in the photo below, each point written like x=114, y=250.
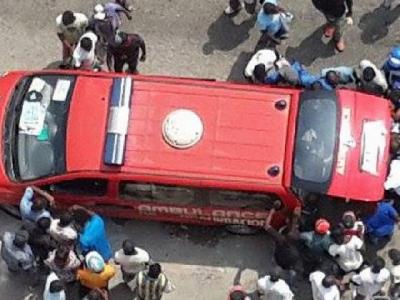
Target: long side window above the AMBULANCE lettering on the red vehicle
x=178, y=195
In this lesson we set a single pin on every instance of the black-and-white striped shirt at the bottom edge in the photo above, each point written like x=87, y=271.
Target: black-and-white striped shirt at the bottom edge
x=152, y=289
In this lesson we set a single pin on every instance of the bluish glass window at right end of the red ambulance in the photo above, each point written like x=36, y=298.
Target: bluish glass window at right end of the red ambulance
x=315, y=141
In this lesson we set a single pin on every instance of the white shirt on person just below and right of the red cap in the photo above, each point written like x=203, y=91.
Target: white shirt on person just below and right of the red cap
x=347, y=255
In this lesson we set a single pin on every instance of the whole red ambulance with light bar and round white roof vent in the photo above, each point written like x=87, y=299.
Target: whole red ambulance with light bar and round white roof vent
x=246, y=146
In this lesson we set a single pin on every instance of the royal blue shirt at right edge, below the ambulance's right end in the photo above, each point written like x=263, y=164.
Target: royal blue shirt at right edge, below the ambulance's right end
x=382, y=222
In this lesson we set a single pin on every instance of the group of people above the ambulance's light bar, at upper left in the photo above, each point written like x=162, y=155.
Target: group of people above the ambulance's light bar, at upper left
x=92, y=43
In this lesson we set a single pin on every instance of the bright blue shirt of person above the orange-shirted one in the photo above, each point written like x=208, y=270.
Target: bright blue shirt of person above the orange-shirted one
x=93, y=238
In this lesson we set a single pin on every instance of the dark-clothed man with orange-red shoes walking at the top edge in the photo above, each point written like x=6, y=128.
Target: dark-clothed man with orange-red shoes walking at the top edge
x=337, y=13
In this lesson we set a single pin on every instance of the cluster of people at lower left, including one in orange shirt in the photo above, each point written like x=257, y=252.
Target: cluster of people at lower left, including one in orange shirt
x=69, y=250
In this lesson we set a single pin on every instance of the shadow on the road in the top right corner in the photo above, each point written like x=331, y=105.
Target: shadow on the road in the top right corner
x=375, y=25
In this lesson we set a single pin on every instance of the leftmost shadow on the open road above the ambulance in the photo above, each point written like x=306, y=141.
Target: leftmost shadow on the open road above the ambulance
x=225, y=35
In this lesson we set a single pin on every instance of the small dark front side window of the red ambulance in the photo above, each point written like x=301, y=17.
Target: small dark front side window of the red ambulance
x=84, y=186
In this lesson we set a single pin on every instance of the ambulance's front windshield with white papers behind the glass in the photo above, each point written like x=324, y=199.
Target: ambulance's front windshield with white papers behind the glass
x=36, y=126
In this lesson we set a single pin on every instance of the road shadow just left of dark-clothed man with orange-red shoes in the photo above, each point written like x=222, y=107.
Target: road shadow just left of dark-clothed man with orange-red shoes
x=311, y=48
